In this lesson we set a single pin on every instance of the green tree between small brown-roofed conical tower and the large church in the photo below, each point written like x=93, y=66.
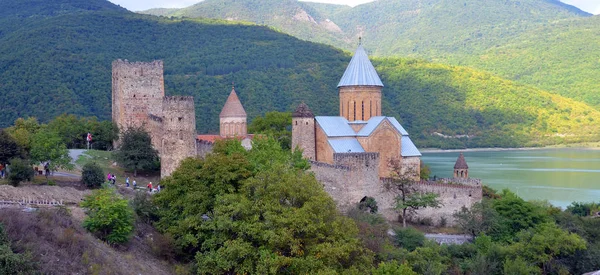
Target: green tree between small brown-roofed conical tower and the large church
x=274, y=124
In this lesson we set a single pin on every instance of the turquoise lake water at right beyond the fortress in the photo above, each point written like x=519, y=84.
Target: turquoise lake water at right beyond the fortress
x=559, y=176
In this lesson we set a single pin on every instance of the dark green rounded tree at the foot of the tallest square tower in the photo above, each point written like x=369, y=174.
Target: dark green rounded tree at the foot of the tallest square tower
x=136, y=151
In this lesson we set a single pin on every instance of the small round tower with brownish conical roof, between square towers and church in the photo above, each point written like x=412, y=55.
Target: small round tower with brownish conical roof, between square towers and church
x=233, y=118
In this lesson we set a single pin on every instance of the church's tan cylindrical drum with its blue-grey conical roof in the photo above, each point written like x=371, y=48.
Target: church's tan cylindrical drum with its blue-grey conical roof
x=360, y=89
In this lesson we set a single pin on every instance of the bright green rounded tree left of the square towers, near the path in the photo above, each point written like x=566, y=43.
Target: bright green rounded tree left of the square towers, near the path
x=48, y=146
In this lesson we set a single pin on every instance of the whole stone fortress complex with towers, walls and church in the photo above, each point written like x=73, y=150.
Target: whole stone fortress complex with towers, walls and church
x=351, y=154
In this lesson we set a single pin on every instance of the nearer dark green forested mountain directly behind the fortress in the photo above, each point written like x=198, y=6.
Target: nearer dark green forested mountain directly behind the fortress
x=61, y=63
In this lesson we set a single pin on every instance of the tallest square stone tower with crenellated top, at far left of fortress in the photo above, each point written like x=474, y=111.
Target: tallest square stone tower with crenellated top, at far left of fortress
x=137, y=90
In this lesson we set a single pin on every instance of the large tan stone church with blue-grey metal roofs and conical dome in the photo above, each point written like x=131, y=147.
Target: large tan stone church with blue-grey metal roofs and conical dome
x=360, y=127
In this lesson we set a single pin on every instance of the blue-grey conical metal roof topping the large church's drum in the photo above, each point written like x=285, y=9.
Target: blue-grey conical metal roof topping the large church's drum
x=360, y=71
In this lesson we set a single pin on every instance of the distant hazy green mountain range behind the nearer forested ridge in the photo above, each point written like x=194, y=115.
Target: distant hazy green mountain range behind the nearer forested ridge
x=539, y=42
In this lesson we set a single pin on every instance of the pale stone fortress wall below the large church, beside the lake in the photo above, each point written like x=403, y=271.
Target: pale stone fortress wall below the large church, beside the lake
x=354, y=176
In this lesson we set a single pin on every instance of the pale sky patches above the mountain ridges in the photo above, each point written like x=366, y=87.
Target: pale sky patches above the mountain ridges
x=591, y=6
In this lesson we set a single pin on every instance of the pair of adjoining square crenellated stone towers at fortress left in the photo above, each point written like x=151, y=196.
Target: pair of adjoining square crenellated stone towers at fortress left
x=138, y=100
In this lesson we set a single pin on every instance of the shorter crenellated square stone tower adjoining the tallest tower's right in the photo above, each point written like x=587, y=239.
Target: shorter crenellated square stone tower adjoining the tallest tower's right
x=178, y=133
